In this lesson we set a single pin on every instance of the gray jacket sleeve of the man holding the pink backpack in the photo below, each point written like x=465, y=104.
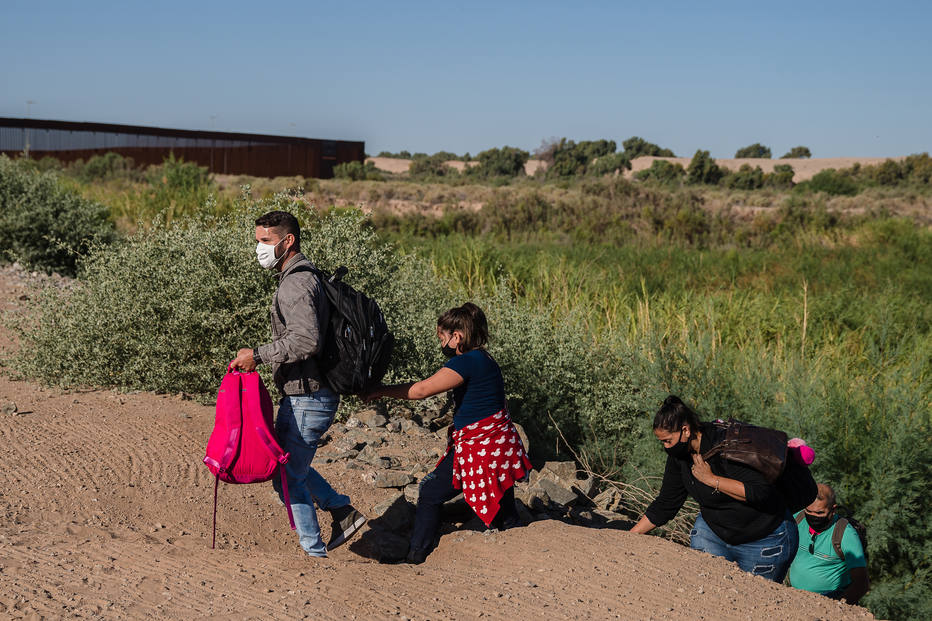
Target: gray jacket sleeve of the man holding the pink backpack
x=298, y=300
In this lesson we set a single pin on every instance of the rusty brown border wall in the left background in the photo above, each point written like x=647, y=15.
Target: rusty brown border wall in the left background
x=221, y=152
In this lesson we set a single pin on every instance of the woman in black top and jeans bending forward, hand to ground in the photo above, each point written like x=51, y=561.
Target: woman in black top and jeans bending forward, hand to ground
x=741, y=516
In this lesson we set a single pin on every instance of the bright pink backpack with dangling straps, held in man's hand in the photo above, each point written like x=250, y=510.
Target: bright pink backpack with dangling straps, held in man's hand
x=242, y=447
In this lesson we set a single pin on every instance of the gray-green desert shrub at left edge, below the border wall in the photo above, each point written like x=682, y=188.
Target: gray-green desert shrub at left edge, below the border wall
x=44, y=224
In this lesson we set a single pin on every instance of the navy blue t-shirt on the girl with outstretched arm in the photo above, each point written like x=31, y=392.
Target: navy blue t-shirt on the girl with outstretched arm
x=482, y=392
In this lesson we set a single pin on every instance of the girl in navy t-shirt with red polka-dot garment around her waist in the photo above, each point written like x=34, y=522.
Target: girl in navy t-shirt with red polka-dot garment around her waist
x=484, y=455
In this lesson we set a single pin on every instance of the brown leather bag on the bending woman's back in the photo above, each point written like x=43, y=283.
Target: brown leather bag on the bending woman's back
x=757, y=447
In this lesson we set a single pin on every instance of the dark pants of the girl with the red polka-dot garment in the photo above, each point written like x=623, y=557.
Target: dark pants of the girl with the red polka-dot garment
x=437, y=488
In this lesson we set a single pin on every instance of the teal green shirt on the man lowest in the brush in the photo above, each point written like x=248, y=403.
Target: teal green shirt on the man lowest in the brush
x=822, y=571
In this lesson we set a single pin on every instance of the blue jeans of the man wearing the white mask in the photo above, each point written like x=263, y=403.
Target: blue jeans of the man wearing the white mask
x=301, y=421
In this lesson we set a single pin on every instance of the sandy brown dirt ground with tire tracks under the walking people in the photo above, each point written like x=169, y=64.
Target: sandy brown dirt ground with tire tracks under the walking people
x=106, y=512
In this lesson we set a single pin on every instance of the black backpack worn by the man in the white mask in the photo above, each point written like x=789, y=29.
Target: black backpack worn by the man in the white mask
x=357, y=343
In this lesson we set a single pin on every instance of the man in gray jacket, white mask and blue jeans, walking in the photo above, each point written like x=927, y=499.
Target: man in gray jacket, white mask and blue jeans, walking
x=299, y=311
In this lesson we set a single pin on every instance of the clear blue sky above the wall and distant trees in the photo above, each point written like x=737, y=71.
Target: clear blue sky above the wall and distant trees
x=844, y=78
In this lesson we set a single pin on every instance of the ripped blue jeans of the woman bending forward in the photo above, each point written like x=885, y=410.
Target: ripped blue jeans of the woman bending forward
x=769, y=557
